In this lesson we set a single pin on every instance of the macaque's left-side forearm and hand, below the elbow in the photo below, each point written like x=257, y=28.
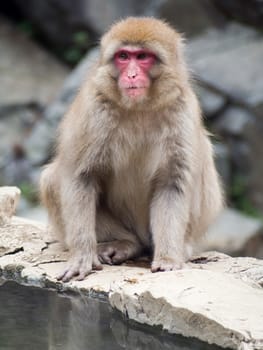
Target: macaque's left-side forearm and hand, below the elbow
x=79, y=211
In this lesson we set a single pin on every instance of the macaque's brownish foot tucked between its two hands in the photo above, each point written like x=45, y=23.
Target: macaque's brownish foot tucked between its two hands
x=116, y=252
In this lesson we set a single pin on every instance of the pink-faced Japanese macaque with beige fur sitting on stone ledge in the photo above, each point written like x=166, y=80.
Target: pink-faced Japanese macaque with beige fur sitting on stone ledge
x=134, y=168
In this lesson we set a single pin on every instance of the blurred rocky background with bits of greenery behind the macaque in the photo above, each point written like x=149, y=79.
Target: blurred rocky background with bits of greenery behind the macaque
x=47, y=46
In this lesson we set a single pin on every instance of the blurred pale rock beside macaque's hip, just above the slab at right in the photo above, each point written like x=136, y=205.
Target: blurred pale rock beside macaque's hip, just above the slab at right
x=231, y=232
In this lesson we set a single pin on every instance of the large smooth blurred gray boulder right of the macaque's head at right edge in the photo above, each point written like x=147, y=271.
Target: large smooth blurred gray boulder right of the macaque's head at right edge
x=230, y=61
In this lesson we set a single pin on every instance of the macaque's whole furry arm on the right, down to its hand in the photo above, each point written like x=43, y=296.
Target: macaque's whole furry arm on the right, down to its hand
x=170, y=206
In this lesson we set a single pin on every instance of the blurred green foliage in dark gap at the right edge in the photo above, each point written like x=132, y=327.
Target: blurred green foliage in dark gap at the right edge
x=239, y=198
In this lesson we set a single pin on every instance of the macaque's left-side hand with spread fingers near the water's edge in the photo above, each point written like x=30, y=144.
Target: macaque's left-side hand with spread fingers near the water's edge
x=80, y=265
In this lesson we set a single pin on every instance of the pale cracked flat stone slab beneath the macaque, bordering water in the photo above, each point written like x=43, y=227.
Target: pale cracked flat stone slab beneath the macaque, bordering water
x=217, y=299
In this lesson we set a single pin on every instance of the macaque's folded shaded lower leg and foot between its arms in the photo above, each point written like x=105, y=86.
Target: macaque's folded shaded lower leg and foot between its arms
x=115, y=243
